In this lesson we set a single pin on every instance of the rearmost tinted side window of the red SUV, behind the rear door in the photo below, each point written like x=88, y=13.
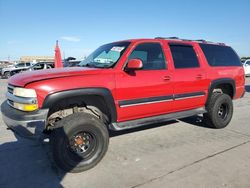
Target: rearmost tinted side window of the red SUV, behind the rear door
x=220, y=55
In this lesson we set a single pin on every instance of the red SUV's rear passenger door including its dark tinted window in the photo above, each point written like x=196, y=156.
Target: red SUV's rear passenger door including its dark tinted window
x=190, y=83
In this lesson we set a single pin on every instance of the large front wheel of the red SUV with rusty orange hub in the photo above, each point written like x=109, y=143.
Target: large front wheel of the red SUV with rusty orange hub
x=80, y=142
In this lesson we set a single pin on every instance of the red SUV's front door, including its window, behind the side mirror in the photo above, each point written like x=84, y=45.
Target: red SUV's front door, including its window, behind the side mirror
x=146, y=92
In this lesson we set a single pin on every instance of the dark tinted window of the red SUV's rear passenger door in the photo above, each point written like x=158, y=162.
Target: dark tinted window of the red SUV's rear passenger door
x=184, y=56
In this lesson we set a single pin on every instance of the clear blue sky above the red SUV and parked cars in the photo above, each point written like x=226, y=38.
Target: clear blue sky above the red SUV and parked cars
x=29, y=27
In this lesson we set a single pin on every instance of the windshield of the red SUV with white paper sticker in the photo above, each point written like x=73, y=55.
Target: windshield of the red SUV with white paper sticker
x=105, y=56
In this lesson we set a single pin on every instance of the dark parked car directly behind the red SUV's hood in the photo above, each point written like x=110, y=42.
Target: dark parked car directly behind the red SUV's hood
x=37, y=66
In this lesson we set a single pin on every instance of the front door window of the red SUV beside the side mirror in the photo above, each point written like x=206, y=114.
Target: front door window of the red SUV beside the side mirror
x=151, y=55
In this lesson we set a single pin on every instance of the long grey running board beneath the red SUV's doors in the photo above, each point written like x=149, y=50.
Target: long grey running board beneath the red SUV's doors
x=155, y=119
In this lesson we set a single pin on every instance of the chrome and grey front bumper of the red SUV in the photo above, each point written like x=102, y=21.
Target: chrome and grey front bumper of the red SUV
x=25, y=124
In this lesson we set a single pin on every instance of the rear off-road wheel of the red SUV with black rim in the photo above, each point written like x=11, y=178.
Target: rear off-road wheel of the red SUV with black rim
x=219, y=111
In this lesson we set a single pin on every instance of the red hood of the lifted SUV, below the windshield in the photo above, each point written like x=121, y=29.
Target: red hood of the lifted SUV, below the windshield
x=23, y=79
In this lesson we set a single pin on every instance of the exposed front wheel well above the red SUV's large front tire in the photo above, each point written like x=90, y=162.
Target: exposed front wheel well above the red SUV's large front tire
x=93, y=104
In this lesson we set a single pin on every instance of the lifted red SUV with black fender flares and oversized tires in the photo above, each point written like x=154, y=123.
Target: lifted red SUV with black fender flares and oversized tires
x=123, y=85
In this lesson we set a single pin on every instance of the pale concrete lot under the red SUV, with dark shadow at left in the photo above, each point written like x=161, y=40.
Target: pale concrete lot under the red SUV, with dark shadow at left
x=180, y=153
